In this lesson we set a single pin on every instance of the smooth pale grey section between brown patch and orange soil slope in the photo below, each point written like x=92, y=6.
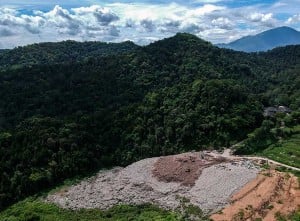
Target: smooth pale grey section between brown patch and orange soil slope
x=217, y=183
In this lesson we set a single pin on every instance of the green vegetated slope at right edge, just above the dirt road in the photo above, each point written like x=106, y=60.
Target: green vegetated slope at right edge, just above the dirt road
x=277, y=139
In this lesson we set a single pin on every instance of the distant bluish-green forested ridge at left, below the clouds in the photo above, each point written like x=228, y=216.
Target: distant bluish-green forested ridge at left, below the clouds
x=61, y=52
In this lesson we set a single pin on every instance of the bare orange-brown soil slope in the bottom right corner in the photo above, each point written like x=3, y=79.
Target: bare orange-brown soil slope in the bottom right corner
x=269, y=194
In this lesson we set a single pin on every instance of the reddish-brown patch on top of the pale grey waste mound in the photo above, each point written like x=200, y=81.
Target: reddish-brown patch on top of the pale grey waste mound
x=184, y=168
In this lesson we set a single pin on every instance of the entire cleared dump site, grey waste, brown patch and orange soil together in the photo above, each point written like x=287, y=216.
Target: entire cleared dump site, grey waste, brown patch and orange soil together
x=222, y=186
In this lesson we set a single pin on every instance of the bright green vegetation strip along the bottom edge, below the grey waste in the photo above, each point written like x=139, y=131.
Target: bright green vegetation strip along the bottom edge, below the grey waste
x=36, y=210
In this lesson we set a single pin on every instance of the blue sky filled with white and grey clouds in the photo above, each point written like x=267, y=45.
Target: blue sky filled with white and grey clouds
x=25, y=22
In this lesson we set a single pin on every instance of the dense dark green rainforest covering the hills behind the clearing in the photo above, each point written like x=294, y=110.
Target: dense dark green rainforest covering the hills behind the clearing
x=70, y=108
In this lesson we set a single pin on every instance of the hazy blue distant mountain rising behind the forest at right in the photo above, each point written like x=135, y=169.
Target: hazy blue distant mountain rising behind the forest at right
x=266, y=40
